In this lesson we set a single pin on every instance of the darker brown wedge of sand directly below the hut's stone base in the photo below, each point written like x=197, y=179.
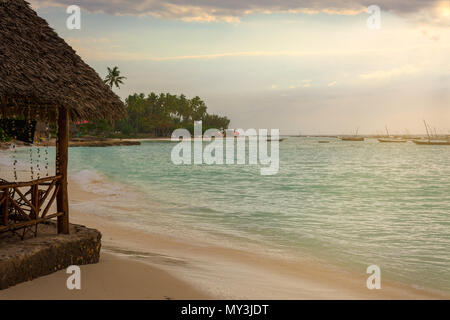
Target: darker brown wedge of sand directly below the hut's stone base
x=113, y=278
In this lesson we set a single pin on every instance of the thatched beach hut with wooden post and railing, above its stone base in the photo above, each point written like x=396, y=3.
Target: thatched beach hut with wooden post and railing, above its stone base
x=43, y=79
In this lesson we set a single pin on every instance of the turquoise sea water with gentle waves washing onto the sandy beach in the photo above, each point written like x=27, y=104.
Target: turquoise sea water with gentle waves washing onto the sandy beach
x=354, y=203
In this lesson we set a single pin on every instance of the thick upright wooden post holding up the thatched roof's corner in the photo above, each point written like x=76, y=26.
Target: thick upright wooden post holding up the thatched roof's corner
x=62, y=150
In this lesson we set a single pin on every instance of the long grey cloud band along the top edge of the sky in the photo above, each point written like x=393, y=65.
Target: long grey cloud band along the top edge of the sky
x=232, y=10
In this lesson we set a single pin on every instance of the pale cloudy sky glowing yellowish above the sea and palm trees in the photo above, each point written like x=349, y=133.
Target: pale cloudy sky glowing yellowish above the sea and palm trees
x=297, y=65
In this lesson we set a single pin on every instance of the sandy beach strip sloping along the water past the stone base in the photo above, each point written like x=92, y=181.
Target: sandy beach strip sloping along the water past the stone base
x=195, y=269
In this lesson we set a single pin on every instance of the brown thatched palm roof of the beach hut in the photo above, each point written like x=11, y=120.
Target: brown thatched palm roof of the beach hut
x=40, y=72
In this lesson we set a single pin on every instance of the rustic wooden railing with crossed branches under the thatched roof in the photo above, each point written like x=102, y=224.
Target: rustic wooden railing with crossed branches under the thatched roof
x=24, y=205
